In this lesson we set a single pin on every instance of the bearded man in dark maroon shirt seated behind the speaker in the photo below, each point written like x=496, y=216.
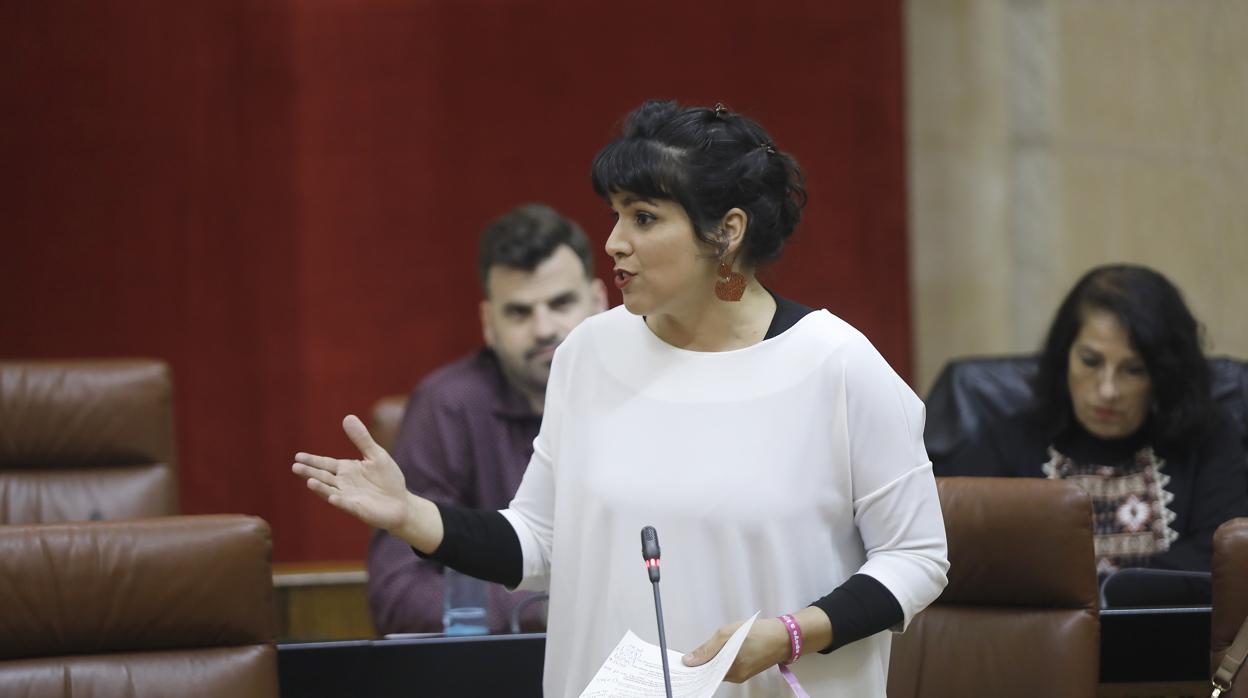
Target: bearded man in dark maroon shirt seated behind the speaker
x=469, y=430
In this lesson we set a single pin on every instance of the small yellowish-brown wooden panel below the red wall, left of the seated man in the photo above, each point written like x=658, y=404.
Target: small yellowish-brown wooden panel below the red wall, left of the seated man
x=323, y=601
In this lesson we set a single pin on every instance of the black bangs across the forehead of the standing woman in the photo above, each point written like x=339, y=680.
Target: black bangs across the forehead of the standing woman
x=638, y=167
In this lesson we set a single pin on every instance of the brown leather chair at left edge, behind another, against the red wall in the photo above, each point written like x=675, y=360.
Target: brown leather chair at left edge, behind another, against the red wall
x=87, y=440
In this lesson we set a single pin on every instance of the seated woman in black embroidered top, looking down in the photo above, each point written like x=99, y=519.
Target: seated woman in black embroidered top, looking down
x=1124, y=409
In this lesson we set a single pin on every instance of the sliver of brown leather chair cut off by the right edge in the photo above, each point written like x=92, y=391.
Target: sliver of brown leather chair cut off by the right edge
x=1230, y=596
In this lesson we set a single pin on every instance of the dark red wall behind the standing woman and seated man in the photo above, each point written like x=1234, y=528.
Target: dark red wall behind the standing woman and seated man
x=283, y=199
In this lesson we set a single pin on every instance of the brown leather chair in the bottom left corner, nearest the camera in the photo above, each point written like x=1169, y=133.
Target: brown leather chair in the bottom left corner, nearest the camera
x=178, y=606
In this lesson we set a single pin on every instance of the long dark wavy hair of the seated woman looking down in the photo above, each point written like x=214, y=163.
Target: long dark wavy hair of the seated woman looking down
x=1161, y=329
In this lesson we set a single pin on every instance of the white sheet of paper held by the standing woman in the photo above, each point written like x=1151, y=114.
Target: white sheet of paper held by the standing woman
x=635, y=670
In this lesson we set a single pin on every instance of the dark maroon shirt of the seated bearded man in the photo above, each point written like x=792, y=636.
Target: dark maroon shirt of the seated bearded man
x=466, y=439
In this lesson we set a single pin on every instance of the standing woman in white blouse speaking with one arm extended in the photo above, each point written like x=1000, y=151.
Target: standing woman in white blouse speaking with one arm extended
x=772, y=446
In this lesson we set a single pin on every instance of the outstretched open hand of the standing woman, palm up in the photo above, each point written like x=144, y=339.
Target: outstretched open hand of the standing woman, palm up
x=373, y=490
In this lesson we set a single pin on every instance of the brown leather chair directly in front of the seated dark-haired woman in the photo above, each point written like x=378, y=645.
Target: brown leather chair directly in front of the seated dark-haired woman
x=1020, y=614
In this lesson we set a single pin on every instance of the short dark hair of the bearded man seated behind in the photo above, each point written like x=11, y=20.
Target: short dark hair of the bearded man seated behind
x=526, y=237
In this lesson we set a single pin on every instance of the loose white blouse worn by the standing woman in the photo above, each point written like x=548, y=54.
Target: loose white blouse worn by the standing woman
x=772, y=474
